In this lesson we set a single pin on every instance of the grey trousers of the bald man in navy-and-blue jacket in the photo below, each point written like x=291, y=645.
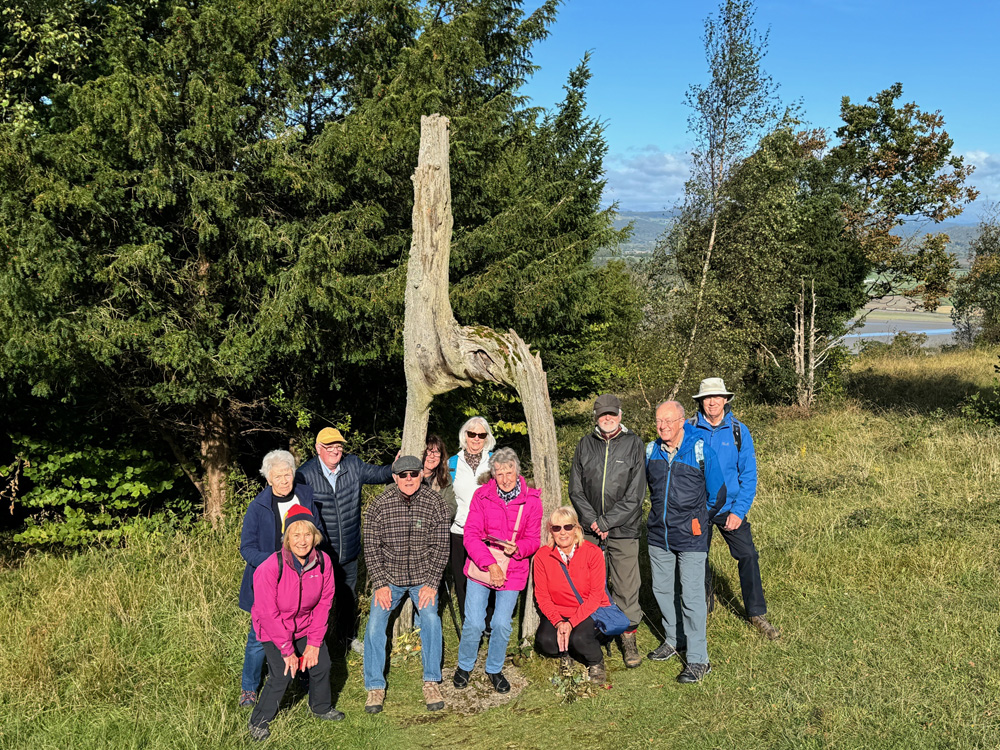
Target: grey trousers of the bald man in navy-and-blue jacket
x=685, y=612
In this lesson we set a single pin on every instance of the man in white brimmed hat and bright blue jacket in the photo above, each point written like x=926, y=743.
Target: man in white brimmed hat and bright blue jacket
x=733, y=444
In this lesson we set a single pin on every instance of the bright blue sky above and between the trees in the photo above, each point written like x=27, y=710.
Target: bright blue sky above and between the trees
x=645, y=54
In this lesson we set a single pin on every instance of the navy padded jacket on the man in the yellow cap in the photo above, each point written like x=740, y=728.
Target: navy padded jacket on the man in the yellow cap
x=341, y=510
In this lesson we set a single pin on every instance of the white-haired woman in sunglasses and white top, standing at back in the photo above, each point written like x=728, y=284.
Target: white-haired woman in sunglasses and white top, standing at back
x=476, y=443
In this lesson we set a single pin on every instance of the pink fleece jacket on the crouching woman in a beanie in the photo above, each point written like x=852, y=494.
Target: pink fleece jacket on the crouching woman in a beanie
x=297, y=605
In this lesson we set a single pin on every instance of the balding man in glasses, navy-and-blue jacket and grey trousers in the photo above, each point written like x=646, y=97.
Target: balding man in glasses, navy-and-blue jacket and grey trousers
x=686, y=490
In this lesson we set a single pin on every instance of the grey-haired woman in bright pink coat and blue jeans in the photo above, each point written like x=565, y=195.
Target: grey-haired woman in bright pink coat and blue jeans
x=504, y=508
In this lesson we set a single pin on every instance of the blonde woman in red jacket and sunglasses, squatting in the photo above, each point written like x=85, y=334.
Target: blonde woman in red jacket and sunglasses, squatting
x=567, y=629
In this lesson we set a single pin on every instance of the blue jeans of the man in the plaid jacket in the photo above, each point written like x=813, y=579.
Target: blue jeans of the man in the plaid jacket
x=375, y=638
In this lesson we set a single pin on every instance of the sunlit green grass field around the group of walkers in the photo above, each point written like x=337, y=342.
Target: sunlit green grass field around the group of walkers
x=877, y=523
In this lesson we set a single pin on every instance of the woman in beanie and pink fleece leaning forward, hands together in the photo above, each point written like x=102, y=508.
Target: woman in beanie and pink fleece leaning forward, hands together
x=293, y=591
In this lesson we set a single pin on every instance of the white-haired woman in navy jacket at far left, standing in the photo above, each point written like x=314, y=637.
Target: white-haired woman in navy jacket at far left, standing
x=260, y=538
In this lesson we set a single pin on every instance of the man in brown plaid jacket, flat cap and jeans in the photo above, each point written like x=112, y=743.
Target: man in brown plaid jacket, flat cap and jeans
x=406, y=546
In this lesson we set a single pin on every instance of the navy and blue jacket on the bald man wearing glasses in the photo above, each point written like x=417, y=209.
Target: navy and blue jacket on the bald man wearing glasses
x=684, y=497
